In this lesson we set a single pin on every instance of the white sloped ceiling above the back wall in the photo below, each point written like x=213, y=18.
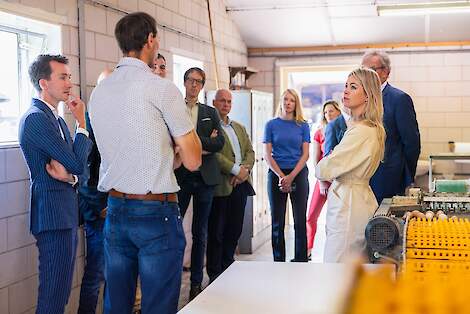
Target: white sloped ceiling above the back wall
x=300, y=23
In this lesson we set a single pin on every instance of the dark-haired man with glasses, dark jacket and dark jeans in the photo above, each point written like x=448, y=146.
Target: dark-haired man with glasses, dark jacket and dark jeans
x=200, y=184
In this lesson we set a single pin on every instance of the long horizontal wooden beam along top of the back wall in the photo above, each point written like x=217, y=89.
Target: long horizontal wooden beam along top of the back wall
x=255, y=50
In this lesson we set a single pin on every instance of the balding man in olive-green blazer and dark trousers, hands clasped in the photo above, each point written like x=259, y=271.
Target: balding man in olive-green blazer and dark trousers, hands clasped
x=236, y=159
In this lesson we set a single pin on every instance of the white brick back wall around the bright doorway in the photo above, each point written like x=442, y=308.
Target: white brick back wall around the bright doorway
x=438, y=82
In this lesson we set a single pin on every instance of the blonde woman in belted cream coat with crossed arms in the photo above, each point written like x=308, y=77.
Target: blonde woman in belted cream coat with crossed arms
x=351, y=202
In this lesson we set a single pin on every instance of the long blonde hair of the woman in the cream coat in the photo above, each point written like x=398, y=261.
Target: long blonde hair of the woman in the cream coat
x=373, y=111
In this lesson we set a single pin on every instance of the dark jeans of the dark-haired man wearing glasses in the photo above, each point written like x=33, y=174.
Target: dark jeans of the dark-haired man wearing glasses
x=202, y=201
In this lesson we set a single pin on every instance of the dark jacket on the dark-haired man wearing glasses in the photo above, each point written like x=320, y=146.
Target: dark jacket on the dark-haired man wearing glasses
x=207, y=120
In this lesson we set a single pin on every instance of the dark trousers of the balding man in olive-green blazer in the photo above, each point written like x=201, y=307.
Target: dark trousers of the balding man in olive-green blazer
x=225, y=228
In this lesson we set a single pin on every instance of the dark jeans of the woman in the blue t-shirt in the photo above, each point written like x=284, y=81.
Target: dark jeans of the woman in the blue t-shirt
x=278, y=202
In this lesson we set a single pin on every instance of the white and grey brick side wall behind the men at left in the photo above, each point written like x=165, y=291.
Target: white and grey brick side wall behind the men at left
x=18, y=253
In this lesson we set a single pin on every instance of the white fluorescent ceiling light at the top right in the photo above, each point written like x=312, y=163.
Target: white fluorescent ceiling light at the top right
x=424, y=8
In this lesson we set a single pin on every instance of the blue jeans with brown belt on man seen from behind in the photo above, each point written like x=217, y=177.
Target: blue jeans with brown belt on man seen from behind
x=143, y=238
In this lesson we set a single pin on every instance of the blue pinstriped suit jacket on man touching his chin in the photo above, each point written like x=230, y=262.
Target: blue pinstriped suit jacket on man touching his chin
x=53, y=203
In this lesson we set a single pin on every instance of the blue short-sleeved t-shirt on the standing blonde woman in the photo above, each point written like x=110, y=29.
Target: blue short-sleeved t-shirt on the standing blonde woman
x=287, y=138
